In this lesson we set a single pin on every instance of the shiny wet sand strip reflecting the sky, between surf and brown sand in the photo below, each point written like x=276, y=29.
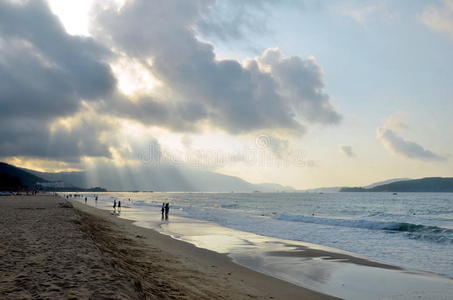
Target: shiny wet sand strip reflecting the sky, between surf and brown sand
x=323, y=269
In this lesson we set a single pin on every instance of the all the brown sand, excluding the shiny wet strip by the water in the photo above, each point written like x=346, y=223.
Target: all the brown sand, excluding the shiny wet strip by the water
x=49, y=250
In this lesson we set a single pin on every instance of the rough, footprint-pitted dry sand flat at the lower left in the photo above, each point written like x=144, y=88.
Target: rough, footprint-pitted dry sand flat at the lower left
x=45, y=255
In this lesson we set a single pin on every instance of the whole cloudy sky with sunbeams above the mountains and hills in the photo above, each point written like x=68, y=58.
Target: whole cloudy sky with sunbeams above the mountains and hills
x=297, y=92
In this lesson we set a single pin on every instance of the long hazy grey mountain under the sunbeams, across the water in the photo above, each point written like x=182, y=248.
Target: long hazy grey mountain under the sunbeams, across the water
x=164, y=178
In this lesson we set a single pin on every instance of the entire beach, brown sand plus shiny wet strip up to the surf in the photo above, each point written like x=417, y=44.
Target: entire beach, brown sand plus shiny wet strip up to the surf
x=63, y=249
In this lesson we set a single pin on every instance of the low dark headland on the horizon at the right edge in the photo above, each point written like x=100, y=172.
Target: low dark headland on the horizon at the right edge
x=428, y=185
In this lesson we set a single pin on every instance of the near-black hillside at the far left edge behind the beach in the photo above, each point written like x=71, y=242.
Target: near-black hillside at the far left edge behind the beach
x=13, y=178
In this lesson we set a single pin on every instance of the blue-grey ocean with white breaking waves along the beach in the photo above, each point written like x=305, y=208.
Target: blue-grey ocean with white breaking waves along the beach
x=410, y=230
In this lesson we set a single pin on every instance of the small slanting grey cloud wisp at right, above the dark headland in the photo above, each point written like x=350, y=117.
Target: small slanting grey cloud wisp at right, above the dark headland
x=405, y=147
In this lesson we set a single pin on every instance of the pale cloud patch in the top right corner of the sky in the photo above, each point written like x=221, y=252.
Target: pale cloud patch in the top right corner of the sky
x=439, y=17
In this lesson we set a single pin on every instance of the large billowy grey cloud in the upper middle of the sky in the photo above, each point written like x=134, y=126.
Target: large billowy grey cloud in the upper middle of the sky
x=225, y=93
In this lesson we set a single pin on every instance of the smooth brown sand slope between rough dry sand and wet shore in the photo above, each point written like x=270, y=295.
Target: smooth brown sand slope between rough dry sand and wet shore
x=205, y=273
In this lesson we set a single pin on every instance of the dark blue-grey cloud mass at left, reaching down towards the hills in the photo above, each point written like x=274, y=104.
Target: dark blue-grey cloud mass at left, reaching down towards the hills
x=44, y=74
